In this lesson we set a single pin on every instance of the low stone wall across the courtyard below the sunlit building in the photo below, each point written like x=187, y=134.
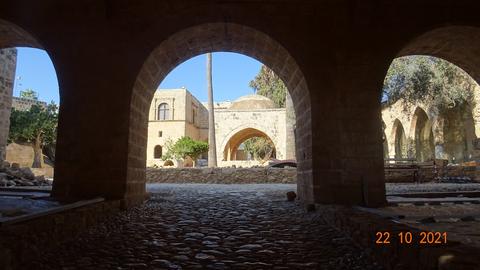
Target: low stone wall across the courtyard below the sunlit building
x=222, y=175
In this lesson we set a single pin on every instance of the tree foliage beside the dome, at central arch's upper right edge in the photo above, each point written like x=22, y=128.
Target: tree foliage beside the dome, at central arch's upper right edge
x=268, y=84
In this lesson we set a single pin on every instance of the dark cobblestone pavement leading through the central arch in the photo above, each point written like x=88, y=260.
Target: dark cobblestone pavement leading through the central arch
x=211, y=227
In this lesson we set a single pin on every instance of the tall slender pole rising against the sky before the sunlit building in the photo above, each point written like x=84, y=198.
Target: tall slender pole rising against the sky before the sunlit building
x=212, y=146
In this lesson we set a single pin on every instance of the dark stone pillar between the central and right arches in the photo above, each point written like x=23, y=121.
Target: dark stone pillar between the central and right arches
x=348, y=166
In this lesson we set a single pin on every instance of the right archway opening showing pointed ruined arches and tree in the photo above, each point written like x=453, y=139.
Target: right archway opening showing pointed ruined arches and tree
x=431, y=89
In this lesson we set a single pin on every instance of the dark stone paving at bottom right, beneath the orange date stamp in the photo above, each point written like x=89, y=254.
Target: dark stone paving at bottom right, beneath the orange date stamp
x=363, y=226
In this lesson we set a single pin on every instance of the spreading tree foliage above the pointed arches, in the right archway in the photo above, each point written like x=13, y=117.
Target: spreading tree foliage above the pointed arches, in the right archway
x=414, y=78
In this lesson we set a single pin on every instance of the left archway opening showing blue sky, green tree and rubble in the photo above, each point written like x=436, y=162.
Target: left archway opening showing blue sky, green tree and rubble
x=30, y=106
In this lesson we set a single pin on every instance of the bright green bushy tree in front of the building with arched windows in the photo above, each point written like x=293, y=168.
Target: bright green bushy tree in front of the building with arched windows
x=185, y=147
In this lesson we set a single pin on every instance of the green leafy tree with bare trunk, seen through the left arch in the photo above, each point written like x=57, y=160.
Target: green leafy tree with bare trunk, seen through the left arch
x=37, y=126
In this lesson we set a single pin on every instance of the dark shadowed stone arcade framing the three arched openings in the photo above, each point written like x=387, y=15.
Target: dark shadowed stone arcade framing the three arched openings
x=110, y=55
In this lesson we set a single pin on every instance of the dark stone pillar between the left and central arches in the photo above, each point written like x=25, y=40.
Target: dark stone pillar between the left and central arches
x=96, y=131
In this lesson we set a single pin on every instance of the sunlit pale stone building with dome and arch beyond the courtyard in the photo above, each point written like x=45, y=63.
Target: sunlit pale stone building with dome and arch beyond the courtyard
x=176, y=112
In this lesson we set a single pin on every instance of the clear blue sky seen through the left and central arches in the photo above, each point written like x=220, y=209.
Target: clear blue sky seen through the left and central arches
x=231, y=74
